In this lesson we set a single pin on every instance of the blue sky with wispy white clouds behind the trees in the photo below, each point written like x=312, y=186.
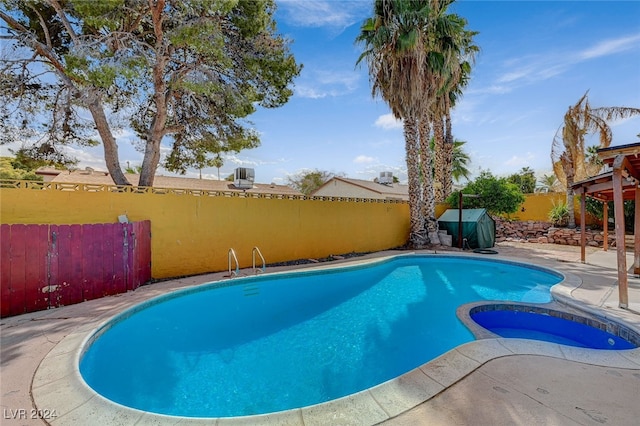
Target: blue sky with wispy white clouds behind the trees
x=537, y=58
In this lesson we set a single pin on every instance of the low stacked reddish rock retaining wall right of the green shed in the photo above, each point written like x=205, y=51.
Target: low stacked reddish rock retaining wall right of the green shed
x=545, y=232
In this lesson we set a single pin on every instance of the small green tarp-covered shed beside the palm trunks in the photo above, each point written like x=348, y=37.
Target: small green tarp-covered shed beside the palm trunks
x=477, y=227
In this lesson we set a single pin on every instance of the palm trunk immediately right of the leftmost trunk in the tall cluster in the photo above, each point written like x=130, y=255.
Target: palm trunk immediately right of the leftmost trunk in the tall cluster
x=426, y=171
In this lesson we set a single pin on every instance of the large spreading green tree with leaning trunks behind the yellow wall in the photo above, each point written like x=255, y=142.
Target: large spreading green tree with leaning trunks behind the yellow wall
x=190, y=71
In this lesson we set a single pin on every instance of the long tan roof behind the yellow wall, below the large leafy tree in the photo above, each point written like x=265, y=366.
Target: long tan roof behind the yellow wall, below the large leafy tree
x=91, y=176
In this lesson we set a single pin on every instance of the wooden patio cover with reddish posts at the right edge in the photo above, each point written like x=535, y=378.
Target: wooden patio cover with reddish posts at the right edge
x=617, y=185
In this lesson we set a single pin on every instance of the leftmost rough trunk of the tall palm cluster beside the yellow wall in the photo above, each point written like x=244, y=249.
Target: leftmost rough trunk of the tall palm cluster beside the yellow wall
x=416, y=237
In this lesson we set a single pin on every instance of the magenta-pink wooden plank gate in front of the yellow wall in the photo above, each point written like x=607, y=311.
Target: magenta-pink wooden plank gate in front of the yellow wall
x=47, y=266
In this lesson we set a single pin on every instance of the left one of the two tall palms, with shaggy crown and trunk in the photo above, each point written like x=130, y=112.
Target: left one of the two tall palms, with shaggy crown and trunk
x=394, y=49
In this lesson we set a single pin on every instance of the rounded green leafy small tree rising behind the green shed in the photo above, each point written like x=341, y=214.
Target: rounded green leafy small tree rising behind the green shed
x=497, y=195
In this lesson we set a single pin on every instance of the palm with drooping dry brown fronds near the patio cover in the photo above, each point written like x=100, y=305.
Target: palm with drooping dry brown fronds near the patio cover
x=568, y=150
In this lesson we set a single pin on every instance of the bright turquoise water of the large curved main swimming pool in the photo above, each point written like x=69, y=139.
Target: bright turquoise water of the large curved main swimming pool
x=273, y=343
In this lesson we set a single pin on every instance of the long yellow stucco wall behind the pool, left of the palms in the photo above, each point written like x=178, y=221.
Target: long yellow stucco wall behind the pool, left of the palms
x=192, y=234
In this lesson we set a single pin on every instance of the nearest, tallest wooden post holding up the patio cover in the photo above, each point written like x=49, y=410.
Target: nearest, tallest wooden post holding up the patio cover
x=618, y=210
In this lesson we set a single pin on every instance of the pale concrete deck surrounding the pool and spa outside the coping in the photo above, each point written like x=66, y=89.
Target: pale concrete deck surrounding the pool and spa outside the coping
x=512, y=389
